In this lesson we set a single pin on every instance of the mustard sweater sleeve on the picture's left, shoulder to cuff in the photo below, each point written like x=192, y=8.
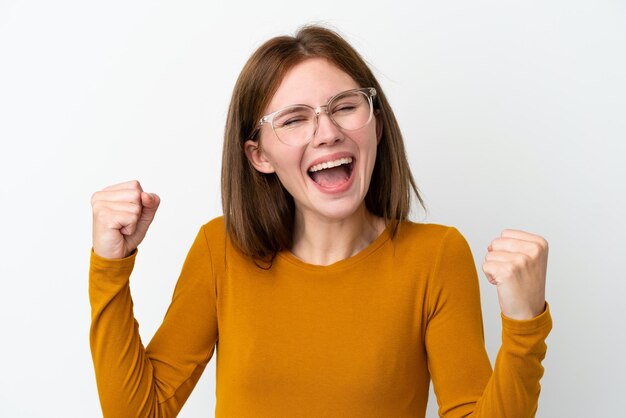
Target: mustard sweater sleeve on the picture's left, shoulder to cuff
x=155, y=381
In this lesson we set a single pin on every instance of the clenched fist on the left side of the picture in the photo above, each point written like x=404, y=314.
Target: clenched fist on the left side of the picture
x=122, y=214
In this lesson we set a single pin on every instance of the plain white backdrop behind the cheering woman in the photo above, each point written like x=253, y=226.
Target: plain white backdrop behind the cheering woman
x=513, y=113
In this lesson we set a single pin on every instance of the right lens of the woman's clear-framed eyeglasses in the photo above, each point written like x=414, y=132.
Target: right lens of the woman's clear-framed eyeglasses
x=351, y=110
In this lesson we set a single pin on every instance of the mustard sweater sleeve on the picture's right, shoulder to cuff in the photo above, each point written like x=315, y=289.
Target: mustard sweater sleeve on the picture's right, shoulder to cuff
x=463, y=380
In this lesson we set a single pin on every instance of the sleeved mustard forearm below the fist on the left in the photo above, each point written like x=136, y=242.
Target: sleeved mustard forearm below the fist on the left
x=124, y=374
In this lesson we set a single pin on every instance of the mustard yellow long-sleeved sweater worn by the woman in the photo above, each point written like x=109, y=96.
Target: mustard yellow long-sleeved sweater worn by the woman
x=359, y=338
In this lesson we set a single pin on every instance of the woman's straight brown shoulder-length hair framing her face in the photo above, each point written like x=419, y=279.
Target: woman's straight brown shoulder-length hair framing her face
x=259, y=213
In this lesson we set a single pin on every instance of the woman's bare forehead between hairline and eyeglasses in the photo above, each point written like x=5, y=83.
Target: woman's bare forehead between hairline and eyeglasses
x=311, y=82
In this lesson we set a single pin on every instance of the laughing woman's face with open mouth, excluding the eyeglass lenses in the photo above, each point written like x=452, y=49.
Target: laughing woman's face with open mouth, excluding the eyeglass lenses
x=334, y=193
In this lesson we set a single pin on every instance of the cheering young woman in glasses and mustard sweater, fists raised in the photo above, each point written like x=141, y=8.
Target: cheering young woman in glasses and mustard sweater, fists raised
x=320, y=297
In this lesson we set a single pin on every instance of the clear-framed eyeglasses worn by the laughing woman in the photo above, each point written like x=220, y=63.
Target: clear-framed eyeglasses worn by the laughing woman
x=295, y=125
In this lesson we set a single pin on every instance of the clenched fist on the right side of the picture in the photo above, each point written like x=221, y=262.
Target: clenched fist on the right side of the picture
x=516, y=263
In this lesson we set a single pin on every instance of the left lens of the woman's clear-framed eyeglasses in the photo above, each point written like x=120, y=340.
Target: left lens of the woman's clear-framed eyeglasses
x=295, y=125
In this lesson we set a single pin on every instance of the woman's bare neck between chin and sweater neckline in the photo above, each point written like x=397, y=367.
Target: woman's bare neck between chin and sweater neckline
x=324, y=241
